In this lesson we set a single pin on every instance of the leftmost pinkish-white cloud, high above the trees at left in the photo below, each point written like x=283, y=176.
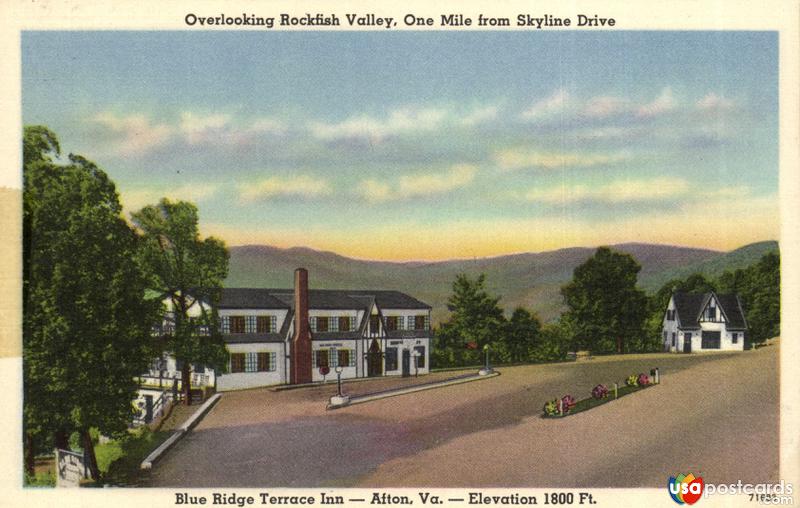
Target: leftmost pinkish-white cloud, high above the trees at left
x=133, y=134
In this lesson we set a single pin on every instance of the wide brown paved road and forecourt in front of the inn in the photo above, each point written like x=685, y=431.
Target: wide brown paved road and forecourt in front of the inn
x=714, y=415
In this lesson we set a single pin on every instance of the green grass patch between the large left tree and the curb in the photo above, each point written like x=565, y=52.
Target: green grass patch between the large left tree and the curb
x=119, y=460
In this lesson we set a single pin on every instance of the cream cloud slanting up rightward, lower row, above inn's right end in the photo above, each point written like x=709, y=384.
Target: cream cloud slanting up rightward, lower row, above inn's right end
x=418, y=185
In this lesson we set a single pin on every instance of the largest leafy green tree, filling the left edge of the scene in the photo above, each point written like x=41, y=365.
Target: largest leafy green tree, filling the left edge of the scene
x=86, y=322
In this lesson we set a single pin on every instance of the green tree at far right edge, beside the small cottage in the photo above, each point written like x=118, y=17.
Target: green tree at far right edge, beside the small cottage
x=759, y=289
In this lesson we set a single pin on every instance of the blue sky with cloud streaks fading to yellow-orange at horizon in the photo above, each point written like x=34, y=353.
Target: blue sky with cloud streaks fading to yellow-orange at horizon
x=427, y=145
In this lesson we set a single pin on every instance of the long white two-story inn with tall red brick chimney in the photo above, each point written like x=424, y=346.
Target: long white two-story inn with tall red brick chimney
x=293, y=336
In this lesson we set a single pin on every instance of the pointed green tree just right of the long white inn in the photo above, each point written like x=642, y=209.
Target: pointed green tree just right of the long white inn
x=476, y=320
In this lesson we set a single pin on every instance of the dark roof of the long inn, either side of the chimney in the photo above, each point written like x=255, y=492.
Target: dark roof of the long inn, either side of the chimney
x=320, y=299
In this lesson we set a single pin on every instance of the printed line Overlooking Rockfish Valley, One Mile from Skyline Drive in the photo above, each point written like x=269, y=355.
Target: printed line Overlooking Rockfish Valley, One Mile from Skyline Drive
x=454, y=20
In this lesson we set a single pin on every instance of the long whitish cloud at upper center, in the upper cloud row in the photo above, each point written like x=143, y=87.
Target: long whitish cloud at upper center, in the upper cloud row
x=375, y=130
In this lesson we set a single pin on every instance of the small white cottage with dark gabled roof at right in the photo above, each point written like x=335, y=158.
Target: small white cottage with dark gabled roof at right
x=703, y=322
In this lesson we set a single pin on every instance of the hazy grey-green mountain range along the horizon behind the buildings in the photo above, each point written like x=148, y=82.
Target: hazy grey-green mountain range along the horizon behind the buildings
x=530, y=280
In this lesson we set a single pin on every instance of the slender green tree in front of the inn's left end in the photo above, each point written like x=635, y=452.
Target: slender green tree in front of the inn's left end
x=188, y=271
